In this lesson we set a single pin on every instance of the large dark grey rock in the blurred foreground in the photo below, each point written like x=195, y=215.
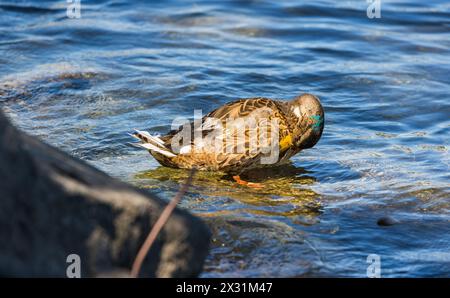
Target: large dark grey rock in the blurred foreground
x=53, y=205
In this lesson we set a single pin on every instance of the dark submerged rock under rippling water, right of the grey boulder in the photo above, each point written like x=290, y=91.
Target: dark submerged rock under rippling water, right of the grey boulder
x=259, y=247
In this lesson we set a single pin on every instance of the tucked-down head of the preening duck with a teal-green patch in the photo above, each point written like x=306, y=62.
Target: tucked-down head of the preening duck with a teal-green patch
x=309, y=117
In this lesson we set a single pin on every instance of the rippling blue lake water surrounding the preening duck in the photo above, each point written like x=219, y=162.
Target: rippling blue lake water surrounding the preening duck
x=82, y=84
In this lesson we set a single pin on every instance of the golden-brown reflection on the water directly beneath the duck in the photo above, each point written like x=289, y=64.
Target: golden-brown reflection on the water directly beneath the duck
x=282, y=194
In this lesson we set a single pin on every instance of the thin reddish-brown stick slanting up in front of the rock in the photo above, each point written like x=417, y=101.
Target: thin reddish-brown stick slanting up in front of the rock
x=143, y=251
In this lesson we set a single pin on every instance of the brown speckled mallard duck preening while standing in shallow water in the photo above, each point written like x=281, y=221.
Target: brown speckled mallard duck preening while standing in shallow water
x=242, y=135
